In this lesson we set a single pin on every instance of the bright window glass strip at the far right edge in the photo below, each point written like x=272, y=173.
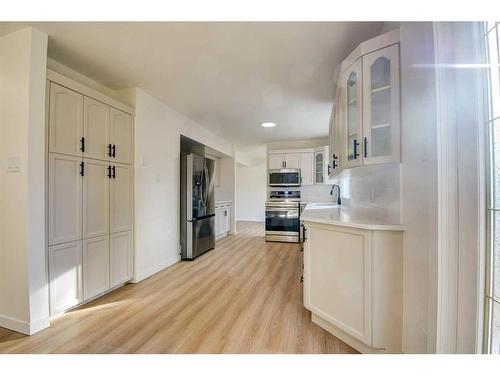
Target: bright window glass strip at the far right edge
x=492, y=303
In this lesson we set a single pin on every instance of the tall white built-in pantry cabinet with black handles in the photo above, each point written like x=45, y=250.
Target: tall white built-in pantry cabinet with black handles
x=90, y=194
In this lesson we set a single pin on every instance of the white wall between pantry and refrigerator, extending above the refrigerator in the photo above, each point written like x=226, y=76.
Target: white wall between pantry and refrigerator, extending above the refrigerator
x=157, y=208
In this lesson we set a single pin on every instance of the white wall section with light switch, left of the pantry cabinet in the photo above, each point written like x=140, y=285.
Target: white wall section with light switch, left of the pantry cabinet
x=23, y=283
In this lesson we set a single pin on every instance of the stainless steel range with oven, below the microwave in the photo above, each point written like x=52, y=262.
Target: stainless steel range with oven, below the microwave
x=283, y=216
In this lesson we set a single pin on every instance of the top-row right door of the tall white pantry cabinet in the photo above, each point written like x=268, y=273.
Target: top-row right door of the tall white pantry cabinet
x=121, y=135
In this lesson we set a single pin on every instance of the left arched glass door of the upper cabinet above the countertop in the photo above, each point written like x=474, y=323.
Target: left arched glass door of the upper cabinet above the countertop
x=351, y=81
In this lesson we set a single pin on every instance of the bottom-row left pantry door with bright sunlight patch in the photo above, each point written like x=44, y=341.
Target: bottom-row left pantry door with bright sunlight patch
x=65, y=276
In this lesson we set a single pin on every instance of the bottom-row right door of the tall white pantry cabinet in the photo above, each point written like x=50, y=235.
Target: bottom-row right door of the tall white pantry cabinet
x=120, y=258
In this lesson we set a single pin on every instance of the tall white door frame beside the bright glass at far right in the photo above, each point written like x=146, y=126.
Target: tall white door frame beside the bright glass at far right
x=461, y=187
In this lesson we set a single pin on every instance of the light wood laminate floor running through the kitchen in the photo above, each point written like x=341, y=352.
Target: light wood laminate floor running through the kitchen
x=242, y=297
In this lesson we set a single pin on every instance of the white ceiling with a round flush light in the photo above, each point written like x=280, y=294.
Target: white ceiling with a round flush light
x=227, y=76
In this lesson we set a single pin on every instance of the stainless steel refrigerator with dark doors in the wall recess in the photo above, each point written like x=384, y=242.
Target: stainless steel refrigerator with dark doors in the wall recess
x=197, y=205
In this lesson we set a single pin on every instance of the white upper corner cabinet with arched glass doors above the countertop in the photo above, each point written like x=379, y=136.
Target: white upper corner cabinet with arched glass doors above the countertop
x=365, y=123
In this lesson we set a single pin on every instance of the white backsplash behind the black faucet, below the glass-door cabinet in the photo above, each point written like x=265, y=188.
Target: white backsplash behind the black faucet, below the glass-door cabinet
x=372, y=186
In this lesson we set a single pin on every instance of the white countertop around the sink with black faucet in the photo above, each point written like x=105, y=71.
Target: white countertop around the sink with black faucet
x=354, y=217
